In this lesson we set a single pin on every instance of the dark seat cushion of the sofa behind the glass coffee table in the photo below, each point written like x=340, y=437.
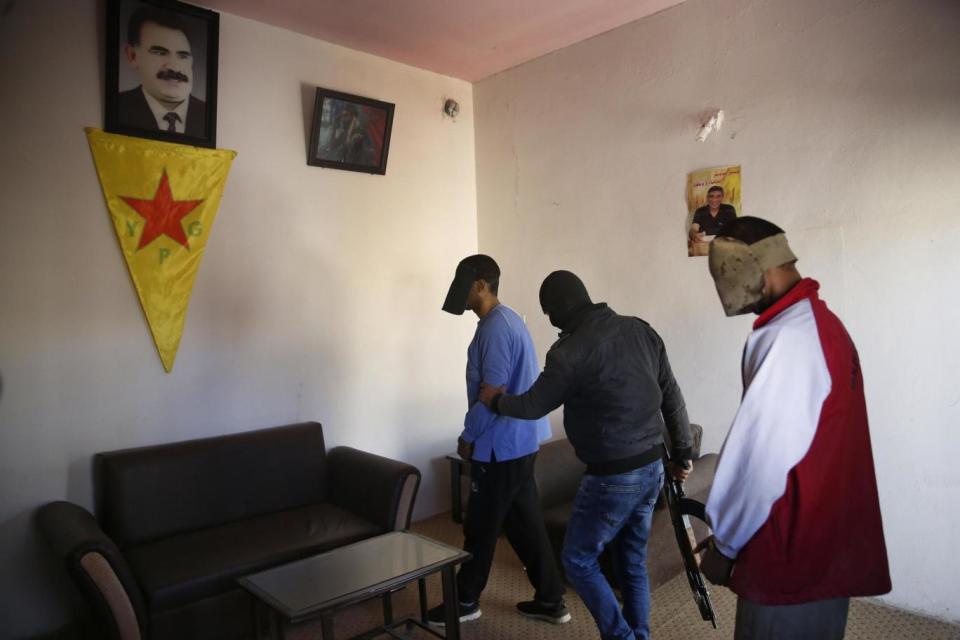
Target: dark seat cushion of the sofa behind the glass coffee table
x=195, y=565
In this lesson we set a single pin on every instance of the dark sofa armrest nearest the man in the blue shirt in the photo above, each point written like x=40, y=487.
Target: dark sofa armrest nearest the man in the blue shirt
x=380, y=489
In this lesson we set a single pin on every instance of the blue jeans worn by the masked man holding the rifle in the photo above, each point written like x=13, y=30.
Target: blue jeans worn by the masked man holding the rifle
x=614, y=509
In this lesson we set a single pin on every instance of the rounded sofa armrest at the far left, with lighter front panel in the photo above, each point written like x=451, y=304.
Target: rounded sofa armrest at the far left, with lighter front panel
x=97, y=568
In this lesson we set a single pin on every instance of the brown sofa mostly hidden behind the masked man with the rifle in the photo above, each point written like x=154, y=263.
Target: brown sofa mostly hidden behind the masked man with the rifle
x=558, y=473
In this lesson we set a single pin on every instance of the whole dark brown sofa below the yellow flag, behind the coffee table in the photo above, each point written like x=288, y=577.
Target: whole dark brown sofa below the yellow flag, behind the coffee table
x=177, y=524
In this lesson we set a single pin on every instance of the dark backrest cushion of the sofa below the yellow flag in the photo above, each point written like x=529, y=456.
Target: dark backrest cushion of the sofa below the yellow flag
x=153, y=492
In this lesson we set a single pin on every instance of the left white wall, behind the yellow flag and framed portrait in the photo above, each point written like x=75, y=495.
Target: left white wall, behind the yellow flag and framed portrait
x=318, y=298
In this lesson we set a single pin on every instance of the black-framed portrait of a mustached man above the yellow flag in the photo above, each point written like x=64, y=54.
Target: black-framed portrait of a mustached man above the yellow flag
x=127, y=109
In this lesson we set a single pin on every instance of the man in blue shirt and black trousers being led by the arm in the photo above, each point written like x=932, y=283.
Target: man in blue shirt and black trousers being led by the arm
x=502, y=451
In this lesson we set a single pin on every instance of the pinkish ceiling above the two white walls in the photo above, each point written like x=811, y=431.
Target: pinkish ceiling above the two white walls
x=468, y=39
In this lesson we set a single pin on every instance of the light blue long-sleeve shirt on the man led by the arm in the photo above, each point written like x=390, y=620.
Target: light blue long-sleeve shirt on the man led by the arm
x=501, y=353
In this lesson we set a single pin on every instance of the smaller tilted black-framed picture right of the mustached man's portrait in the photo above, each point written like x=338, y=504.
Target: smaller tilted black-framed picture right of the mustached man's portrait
x=350, y=132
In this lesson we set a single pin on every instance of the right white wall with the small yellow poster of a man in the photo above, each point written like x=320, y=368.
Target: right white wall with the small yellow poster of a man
x=844, y=116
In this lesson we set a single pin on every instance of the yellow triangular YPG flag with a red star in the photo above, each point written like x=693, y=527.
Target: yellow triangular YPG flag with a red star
x=162, y=198
